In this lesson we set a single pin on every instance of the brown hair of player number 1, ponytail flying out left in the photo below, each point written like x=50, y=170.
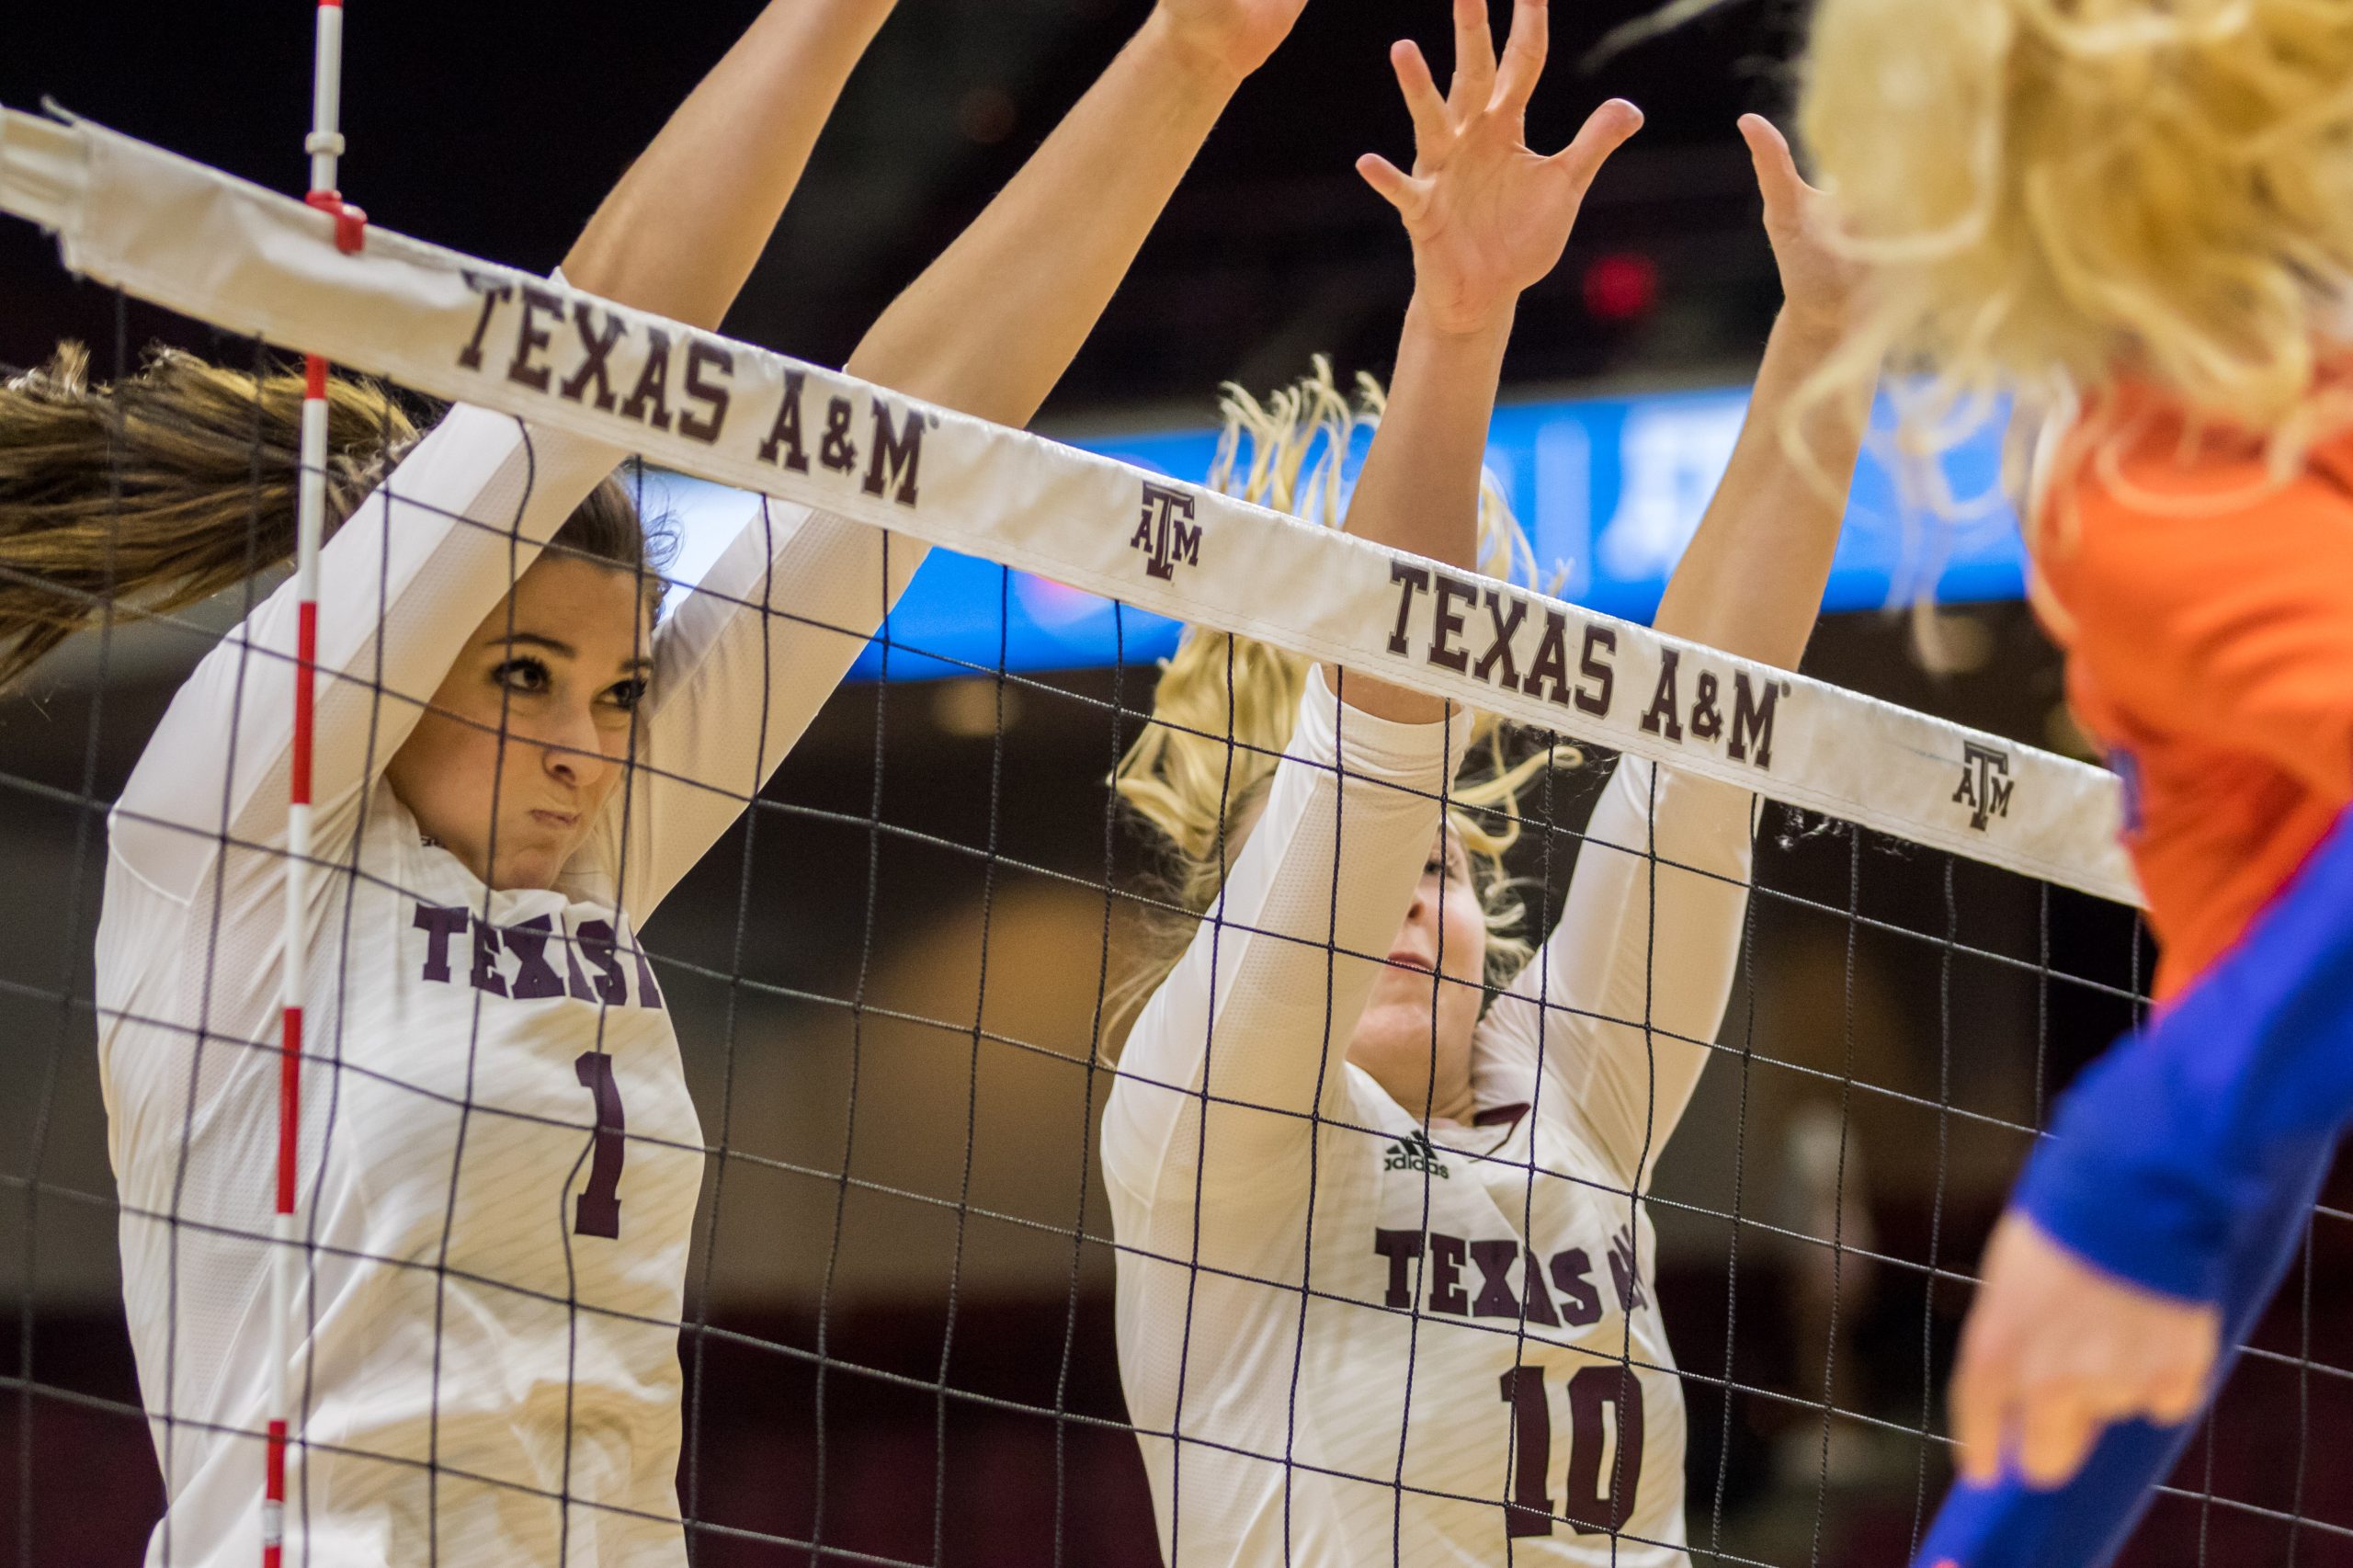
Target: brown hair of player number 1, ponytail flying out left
x=180, y=481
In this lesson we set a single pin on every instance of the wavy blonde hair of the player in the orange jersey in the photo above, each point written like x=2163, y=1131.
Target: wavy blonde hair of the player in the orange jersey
x=2055, y=197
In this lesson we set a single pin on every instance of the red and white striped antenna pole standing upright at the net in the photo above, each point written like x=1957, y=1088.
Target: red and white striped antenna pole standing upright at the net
x=326, y=147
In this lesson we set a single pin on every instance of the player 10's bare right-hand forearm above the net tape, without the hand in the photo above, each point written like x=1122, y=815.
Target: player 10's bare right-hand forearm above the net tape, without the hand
x=1752, y=580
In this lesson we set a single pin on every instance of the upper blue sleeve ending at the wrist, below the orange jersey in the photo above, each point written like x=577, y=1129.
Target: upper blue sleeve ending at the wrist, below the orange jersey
x=2180, y=1138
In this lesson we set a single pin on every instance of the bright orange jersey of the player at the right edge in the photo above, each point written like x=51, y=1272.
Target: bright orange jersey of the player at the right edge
x=2208, y=618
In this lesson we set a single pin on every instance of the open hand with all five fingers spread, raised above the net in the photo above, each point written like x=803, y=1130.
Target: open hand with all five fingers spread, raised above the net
x=1488, y=215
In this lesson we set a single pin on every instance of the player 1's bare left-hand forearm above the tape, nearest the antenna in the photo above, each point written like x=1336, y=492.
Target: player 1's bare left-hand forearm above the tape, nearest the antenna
x=684, y=230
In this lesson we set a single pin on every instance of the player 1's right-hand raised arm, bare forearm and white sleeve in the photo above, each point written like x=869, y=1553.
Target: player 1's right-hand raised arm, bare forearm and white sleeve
x=989, y=328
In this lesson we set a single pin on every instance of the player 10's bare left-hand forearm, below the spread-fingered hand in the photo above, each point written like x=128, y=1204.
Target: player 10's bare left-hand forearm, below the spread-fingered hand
x=1420, y=484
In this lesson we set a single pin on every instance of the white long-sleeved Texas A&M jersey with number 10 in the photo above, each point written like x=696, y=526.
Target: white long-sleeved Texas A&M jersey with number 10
x=1361, y=1341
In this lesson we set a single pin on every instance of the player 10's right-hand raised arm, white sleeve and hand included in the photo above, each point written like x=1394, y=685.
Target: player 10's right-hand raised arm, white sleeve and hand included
x=1622, y=1054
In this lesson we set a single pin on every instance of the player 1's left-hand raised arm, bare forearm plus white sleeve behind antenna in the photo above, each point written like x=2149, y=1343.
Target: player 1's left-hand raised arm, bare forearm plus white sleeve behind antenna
x=441, y=543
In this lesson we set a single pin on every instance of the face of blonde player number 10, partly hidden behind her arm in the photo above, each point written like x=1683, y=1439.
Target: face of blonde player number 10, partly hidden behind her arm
x=1415, y=1032
